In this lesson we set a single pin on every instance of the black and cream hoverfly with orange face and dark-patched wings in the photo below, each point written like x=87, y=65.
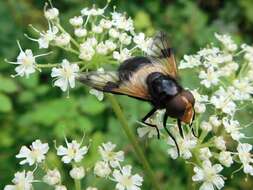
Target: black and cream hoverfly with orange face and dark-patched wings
x=150, y=78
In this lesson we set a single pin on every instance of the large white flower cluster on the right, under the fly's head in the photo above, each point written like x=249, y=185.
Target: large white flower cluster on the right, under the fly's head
x=225, y=87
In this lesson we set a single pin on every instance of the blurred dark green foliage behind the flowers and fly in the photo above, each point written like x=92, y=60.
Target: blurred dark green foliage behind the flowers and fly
x=32, y=109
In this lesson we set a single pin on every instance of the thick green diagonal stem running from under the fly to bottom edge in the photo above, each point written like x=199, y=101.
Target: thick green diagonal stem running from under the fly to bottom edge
x=123, y=121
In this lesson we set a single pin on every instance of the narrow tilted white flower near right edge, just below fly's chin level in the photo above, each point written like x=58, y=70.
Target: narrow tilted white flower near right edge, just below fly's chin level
x=233, y=128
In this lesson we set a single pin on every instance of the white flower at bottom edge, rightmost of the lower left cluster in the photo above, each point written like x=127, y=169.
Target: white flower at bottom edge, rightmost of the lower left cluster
x=125, y=180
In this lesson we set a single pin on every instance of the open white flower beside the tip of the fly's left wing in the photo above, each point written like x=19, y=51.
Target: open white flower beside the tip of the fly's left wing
x=65, y=75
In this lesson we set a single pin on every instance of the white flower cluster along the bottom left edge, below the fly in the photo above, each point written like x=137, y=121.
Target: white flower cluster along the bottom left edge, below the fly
x=73, y=153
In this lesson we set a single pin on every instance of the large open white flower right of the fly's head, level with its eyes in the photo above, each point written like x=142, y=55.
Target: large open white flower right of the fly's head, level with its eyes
x=223, y=101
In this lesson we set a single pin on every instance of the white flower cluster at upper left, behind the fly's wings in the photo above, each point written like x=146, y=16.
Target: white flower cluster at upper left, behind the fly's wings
x=95, y=39
